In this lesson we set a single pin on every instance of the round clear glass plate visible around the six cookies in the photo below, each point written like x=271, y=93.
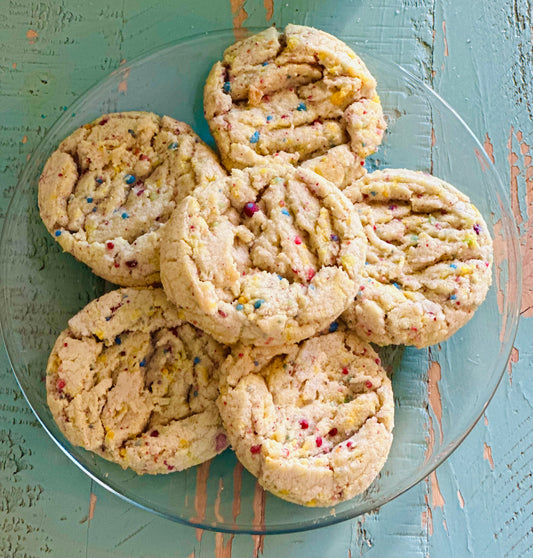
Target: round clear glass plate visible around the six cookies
x=440, y=393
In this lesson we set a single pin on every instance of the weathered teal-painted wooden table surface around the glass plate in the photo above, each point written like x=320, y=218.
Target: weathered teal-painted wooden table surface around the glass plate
x=479, y=56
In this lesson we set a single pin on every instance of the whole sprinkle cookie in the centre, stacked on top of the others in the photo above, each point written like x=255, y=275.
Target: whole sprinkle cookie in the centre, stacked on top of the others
x=267, y=255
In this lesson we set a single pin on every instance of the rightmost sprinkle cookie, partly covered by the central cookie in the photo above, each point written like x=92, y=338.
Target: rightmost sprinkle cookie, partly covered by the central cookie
x=428, y=263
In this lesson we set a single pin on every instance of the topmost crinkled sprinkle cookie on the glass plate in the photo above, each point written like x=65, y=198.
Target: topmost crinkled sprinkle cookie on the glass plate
x=294, y=95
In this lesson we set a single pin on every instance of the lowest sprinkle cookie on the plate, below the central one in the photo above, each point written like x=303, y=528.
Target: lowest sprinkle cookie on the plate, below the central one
x=312, y=421
